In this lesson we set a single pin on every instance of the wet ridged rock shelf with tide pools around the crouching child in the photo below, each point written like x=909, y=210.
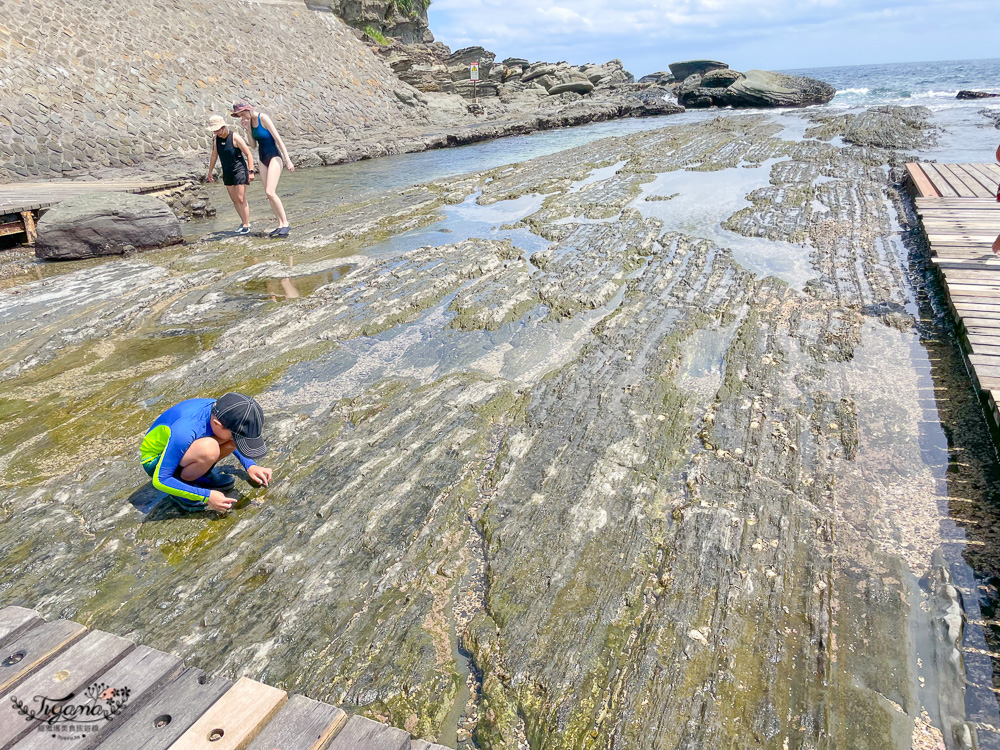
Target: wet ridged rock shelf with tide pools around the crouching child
x=584, y=480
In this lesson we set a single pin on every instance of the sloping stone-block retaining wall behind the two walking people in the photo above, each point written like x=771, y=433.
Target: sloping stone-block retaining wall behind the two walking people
x=86, y=84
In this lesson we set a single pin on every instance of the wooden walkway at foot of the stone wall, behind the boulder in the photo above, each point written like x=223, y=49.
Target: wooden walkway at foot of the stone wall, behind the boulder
x=20, y=202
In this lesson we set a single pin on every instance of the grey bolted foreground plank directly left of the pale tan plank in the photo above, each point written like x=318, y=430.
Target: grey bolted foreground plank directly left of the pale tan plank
x=160, y=723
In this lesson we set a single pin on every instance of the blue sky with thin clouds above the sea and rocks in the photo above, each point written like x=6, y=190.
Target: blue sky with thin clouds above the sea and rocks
x=769, y=34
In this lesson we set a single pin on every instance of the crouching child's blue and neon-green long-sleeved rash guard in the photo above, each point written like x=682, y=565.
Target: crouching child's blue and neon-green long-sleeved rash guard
x=167, y=441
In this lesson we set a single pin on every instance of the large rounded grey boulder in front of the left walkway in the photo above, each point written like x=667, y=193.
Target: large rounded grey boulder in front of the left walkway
x=96, y=224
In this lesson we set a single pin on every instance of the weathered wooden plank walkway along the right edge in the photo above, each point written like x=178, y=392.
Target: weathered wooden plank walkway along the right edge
x=961, y=217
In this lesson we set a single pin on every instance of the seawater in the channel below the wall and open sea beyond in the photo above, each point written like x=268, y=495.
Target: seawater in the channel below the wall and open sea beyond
x=966, y=136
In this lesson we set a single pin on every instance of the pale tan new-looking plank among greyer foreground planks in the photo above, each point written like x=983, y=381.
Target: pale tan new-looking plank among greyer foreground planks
x=235, y=719
